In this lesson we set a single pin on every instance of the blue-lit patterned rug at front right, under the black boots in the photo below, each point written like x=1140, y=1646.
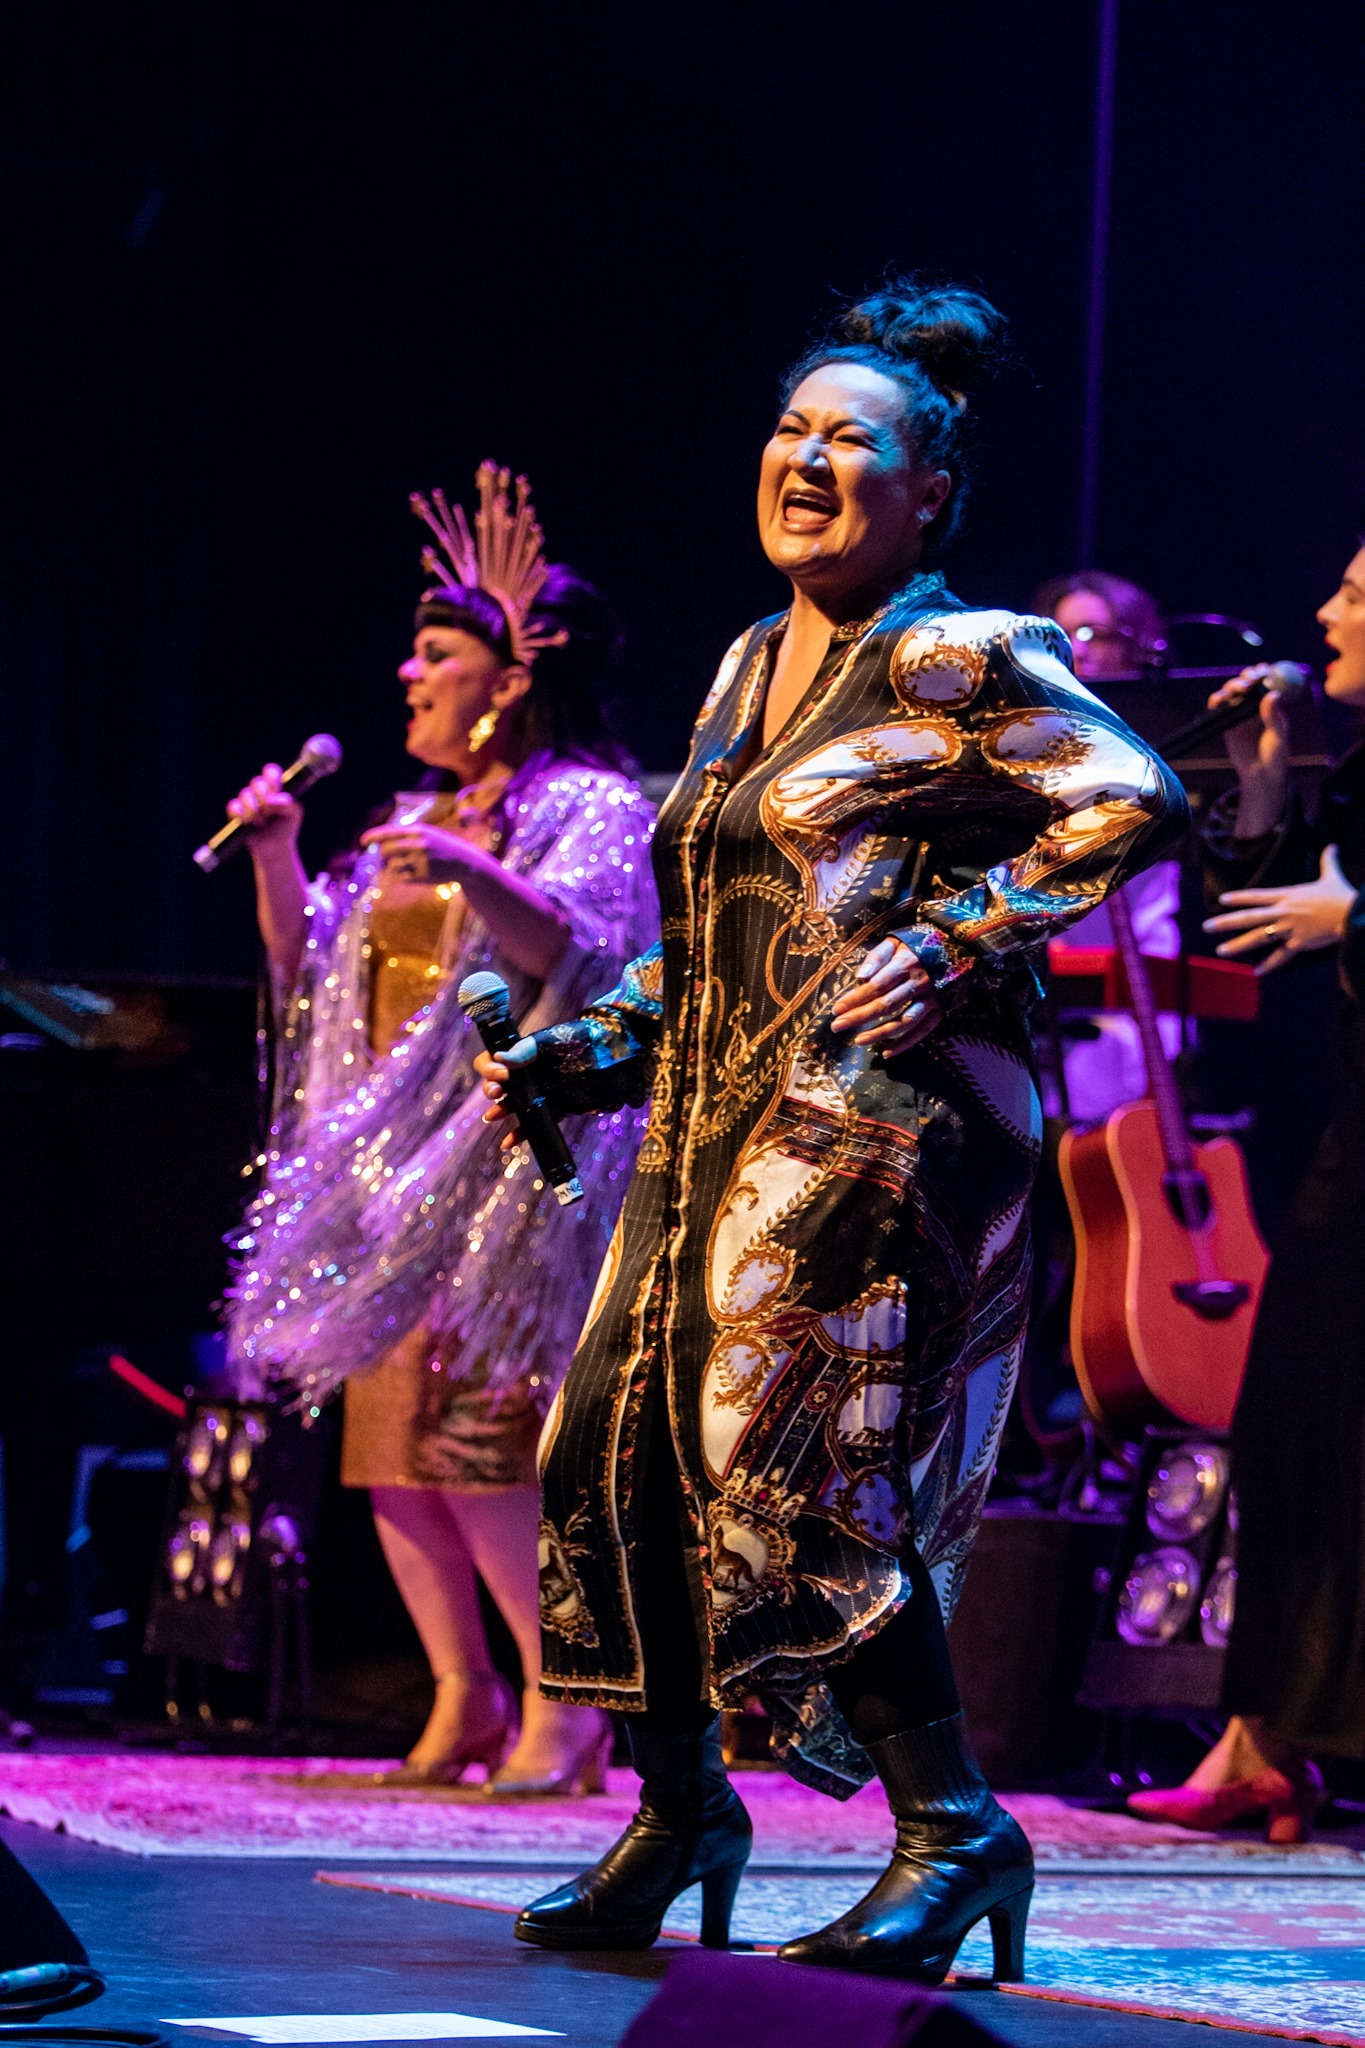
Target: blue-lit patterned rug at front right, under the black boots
x=1280, y=1957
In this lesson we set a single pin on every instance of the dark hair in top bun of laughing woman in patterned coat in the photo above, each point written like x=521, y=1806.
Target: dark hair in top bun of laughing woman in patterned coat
x=938, y=343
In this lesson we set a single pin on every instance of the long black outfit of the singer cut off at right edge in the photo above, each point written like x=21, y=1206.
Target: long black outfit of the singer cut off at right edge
x=1298, y=1437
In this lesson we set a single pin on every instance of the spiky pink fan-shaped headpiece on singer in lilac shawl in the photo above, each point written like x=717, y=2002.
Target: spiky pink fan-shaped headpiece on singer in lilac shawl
x=504, y=556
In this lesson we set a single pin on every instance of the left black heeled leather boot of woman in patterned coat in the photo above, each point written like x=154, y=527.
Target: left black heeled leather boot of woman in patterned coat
x=691, y=1830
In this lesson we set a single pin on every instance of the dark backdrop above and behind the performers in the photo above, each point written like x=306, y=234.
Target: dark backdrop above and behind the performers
x=273, y=265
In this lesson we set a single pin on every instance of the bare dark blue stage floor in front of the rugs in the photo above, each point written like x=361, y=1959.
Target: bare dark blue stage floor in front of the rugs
x=200, y=1938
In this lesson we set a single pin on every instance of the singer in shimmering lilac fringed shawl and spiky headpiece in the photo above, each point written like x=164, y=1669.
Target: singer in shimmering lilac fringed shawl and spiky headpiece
x=392, y=1246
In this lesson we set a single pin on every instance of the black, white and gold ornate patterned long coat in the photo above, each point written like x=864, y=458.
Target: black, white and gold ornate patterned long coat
x=824, y=1256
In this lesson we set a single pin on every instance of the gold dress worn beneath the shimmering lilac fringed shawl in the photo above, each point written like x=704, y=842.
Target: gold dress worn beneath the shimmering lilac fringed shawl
x=408, y=1424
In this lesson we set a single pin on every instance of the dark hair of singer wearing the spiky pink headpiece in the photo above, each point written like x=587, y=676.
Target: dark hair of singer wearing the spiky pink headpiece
x=564, y=708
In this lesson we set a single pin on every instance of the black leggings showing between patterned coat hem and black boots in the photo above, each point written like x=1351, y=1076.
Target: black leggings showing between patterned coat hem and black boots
x=895, y=1682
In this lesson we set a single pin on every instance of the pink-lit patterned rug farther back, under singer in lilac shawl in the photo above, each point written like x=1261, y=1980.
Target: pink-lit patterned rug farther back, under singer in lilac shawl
x=159, y=1805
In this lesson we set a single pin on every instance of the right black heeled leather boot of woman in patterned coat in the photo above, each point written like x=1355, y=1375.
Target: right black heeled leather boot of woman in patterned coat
x=959, y=1861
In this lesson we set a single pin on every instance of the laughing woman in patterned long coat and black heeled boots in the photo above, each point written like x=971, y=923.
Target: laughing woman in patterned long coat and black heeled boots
x=768, y=1461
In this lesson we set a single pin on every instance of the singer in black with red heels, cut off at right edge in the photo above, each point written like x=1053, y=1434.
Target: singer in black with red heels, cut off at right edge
x=1296, y=1666
